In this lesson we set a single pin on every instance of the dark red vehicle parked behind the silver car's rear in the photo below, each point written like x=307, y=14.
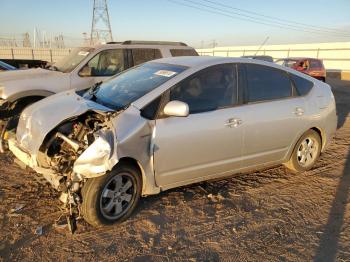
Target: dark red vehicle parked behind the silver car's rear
x=310, y=66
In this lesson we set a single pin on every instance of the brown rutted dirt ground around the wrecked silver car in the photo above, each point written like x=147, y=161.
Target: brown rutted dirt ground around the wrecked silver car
x=264, y=216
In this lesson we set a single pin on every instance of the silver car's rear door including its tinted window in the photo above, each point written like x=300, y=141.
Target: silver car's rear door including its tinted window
x=274, y=115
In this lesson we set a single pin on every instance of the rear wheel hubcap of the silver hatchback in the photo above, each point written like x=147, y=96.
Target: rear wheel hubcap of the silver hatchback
x=307, y=151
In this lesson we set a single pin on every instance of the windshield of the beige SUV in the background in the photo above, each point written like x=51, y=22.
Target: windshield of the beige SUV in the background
x=70, y=62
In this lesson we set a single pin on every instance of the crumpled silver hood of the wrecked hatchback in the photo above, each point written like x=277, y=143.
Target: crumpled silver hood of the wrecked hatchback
x=39, y=119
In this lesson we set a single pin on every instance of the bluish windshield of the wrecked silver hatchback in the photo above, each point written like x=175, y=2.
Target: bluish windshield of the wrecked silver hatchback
x=120, y=91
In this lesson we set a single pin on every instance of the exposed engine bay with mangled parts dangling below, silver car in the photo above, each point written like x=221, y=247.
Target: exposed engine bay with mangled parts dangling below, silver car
x=60, y=150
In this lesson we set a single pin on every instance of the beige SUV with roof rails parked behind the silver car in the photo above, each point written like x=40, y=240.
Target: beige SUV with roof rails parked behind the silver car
x=83, y=68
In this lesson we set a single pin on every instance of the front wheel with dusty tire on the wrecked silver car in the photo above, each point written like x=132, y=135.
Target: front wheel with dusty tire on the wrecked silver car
x=111, y=198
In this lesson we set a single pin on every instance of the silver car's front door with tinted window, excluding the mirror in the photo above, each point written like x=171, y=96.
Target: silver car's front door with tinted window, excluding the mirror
x=208, y=142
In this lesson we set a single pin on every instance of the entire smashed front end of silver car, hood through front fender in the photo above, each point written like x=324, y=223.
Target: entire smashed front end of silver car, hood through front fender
x=89, y=154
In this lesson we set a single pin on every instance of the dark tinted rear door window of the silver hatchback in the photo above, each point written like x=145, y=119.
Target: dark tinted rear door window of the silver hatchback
x=266, y=83
